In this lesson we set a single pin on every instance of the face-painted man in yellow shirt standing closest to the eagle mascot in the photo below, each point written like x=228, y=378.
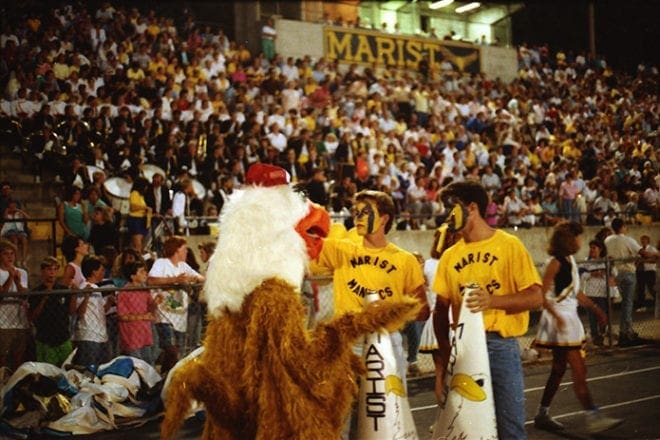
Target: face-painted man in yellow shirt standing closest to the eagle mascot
x=371, y=263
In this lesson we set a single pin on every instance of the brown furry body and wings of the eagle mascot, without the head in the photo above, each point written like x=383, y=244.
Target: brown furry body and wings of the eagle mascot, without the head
x=264, y=376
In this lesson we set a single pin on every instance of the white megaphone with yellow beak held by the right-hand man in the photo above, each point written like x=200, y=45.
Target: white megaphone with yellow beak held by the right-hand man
x=467, y=409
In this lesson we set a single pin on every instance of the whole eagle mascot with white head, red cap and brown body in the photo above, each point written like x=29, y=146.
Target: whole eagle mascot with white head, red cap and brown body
x=262, y=374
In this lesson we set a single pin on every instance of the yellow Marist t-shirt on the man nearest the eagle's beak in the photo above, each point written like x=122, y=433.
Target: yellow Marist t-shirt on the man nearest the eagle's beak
x=390, y=271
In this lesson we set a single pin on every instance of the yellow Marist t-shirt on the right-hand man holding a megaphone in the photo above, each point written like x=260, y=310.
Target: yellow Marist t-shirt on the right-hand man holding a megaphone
x=501, y=265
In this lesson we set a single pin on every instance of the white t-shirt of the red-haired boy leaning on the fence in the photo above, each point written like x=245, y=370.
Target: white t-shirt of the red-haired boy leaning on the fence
x=174, y=310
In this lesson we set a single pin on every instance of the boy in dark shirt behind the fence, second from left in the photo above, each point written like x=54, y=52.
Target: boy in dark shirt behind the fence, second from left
x=50, y=316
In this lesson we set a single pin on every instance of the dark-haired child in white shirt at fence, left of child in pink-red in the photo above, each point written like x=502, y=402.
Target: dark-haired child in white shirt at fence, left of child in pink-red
x=90, y=333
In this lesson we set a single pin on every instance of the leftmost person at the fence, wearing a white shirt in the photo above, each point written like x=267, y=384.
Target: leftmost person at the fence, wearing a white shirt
x=14, y=325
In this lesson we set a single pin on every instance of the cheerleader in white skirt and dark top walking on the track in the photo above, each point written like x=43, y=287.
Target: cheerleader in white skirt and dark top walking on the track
x=560, y=328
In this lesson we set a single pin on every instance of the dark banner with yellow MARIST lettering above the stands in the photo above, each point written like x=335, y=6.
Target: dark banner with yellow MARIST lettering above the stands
x=400, y=51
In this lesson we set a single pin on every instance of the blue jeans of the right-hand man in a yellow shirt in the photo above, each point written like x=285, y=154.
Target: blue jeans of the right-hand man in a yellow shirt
x=508, y=386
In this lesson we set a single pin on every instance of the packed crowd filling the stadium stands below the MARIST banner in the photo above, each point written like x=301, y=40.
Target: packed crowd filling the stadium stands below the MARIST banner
x=120, y=88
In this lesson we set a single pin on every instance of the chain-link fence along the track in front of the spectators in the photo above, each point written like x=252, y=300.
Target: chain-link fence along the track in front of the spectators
x=143, y=321
